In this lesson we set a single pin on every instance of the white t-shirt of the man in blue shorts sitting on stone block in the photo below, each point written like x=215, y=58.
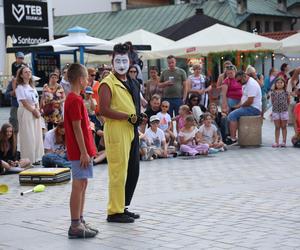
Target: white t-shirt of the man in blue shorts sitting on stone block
x=250, y=89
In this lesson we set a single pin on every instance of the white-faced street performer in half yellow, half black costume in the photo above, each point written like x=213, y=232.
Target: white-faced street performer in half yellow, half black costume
x=120, y=105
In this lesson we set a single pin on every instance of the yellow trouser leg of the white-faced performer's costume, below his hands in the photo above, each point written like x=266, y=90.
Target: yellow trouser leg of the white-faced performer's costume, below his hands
x=118, y=136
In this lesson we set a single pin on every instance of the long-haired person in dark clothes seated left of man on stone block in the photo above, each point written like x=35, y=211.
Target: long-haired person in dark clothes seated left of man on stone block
x=219, y=119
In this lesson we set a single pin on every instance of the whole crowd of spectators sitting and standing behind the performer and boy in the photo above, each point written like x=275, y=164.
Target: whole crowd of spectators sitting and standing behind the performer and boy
x=187, y=115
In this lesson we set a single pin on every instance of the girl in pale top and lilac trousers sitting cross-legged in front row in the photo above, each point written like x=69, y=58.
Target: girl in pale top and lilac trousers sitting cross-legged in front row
x=188, y=139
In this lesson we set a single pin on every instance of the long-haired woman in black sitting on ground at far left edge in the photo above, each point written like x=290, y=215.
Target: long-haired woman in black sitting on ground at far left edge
x=10, y=159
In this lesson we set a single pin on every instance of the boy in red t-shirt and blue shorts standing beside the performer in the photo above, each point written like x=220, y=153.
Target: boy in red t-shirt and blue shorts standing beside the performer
x=80, y=150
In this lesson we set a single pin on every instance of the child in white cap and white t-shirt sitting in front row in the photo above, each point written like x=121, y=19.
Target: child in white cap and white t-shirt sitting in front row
x=156, y=138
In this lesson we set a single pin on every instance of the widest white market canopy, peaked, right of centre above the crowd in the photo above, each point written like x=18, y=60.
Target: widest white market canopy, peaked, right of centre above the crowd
x=218, y=38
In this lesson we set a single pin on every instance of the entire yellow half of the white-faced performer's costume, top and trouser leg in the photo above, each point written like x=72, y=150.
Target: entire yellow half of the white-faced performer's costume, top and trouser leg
x=118, y=135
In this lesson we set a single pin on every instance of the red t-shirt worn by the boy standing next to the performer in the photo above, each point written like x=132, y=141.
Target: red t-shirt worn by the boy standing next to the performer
x=74, y=111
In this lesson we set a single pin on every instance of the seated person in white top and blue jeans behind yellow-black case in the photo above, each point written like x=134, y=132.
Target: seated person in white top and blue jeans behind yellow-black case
x=55, y=150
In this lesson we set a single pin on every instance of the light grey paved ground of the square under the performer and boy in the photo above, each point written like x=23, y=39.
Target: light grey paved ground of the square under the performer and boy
x=245, y=198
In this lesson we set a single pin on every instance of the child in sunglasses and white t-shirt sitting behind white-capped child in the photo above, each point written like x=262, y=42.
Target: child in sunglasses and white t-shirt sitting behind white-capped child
x=166, y=123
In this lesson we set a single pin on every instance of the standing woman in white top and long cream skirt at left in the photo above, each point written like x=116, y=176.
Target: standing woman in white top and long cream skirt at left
x=29, y=117
